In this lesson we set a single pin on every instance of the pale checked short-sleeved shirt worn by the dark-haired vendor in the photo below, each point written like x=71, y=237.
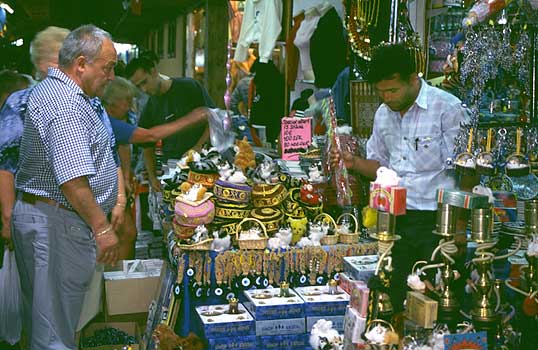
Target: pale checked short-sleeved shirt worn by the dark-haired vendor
x=418, y=145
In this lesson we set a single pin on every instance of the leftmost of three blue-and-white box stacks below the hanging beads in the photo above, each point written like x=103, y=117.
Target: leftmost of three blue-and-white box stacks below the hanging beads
x=227, y=331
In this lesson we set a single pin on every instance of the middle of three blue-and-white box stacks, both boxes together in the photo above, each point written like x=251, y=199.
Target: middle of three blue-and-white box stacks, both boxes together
x=279, y=321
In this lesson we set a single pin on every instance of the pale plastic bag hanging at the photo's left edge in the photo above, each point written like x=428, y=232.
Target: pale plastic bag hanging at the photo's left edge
x=10, y=300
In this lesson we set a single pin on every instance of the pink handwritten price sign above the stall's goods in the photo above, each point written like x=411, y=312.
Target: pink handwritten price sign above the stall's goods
x=296, y=136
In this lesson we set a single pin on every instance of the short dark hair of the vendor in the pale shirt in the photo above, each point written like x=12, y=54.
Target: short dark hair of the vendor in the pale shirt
x=388, y=60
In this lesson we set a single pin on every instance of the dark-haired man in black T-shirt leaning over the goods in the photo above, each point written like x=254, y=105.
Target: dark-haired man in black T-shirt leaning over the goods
x=170, y=99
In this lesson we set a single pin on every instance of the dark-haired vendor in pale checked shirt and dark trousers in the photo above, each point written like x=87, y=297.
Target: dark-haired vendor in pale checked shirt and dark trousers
x=413, y=134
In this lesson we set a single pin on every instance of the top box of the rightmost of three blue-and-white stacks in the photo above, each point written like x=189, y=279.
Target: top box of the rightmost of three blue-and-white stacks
x=319, y=303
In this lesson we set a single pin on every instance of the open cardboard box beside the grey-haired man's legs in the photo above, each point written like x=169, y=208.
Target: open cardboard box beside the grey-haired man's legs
x=132, y=289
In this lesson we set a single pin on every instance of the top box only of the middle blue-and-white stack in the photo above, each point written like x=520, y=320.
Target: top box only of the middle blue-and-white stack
x=265, y=304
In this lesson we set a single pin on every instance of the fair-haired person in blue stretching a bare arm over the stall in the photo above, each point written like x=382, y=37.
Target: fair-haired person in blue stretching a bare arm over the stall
x=118, y=98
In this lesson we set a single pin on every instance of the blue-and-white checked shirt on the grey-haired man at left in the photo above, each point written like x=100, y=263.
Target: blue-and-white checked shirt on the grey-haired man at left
x=65, y=138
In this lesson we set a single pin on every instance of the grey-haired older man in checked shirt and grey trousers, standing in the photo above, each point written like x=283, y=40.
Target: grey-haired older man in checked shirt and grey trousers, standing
x=67, y=183
